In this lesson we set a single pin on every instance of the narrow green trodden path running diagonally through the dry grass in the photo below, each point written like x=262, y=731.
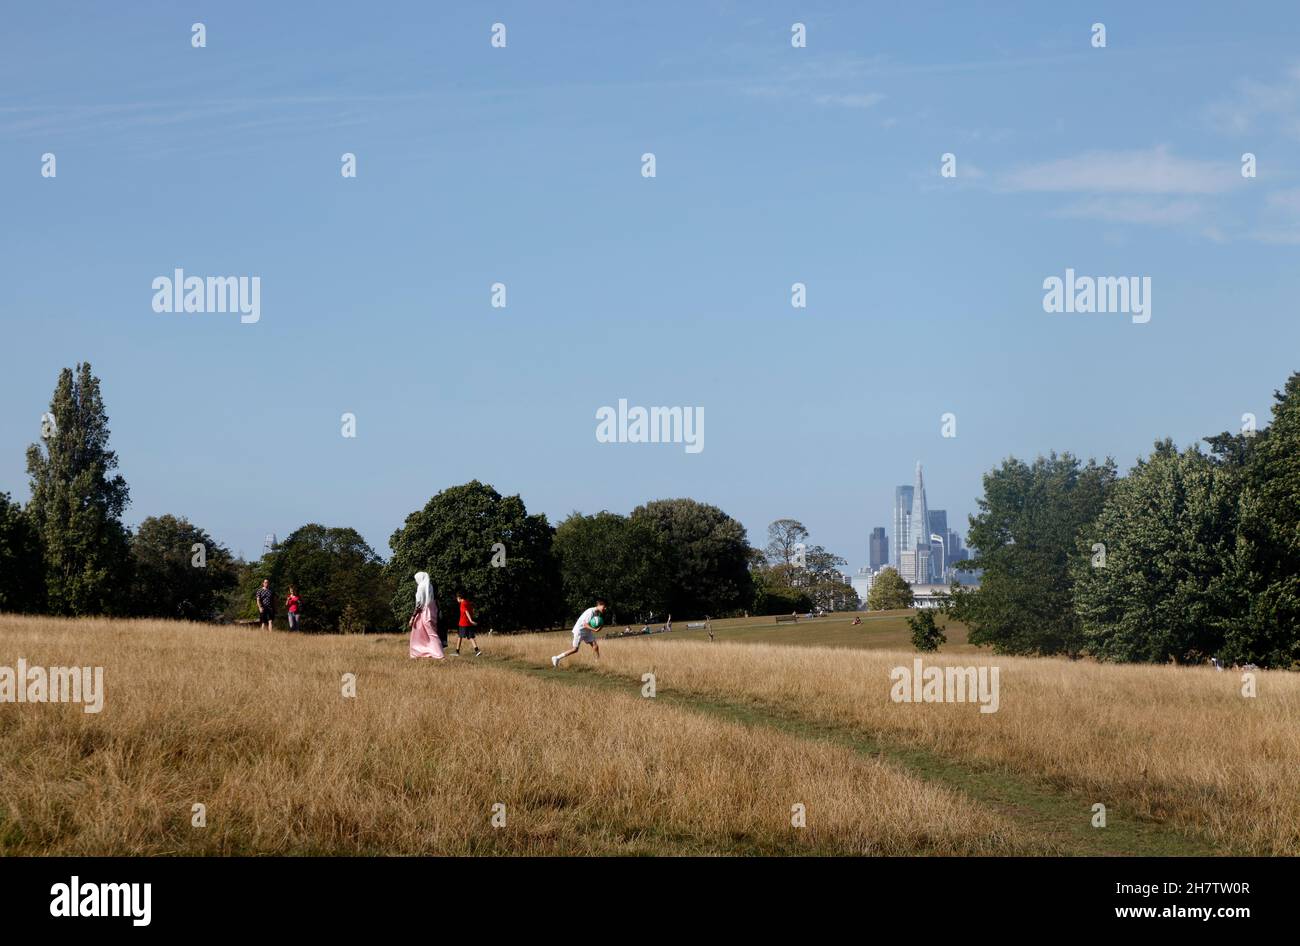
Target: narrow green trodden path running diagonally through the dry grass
x=1059, y=818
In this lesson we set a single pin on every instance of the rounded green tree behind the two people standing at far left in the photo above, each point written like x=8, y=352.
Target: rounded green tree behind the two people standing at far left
x=339, y=578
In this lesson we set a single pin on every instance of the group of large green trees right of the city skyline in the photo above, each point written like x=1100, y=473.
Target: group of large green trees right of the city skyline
x=1195, y=554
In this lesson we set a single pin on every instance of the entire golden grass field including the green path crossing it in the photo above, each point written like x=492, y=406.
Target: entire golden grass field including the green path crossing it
x=742, y=737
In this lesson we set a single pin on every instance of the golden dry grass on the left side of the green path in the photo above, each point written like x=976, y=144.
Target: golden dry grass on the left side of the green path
x=255, y=727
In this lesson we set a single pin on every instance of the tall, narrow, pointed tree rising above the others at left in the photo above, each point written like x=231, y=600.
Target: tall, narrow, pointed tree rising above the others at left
x=77, y=504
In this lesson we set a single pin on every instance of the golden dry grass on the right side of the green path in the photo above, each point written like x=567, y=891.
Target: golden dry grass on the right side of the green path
x=1178, y=745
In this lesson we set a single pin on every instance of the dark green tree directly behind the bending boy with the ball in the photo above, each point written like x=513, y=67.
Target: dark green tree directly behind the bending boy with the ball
x=614, y=557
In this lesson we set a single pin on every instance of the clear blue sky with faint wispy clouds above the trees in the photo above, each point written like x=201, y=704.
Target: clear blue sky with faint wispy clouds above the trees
x=522, y=166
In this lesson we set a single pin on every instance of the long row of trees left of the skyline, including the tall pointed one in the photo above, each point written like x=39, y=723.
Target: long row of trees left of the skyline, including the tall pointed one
x=68, y=553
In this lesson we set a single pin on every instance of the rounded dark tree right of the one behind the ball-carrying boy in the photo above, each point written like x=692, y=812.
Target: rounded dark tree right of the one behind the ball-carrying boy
x=708, y=567
